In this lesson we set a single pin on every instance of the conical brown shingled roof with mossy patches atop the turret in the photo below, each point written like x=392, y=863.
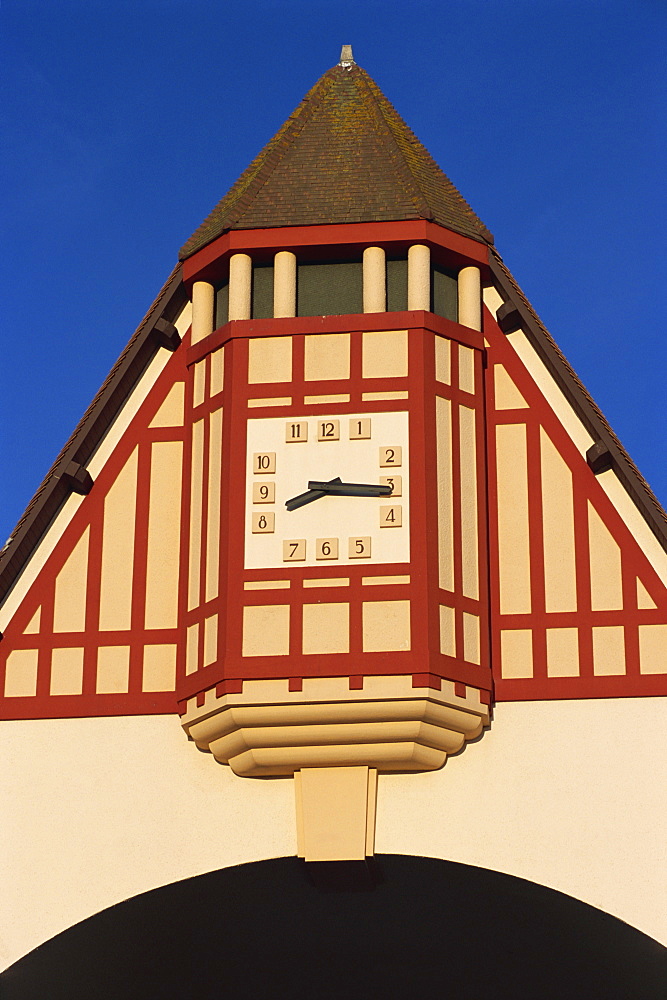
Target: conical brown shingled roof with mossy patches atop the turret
x=343, y=156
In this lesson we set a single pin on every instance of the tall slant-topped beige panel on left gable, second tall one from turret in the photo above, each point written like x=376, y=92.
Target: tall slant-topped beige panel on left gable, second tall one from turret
x=118, y=549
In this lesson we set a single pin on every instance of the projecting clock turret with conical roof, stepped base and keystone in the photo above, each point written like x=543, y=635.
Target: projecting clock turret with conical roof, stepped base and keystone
x=334, y=583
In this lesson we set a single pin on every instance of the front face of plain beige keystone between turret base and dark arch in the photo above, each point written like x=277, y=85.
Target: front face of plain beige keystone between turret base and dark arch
x=334, y=812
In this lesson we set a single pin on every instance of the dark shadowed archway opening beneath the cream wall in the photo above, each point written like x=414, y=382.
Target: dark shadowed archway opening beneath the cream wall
x=429, y=928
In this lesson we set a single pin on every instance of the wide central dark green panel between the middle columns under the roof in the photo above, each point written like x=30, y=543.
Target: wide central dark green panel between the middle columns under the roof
x=329, y=289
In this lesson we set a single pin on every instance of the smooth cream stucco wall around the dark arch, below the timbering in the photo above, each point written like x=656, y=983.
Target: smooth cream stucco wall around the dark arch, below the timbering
x=566, y=794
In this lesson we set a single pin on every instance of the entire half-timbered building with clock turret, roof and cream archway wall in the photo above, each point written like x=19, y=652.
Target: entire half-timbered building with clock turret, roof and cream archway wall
x=340, y=497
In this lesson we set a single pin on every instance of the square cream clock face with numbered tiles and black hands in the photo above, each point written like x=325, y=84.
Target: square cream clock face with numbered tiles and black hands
x=284, y=455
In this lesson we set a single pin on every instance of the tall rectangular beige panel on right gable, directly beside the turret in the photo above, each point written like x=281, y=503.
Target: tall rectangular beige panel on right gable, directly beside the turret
x=513, y=540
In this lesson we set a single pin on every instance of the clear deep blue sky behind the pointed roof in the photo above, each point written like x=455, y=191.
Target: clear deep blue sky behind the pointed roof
x=124, y=123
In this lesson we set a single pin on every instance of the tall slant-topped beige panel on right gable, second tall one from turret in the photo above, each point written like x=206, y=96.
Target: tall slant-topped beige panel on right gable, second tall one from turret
x=560, y=581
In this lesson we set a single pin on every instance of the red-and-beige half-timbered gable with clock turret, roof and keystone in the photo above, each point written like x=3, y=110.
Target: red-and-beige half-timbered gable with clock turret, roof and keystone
x=339, y=497
